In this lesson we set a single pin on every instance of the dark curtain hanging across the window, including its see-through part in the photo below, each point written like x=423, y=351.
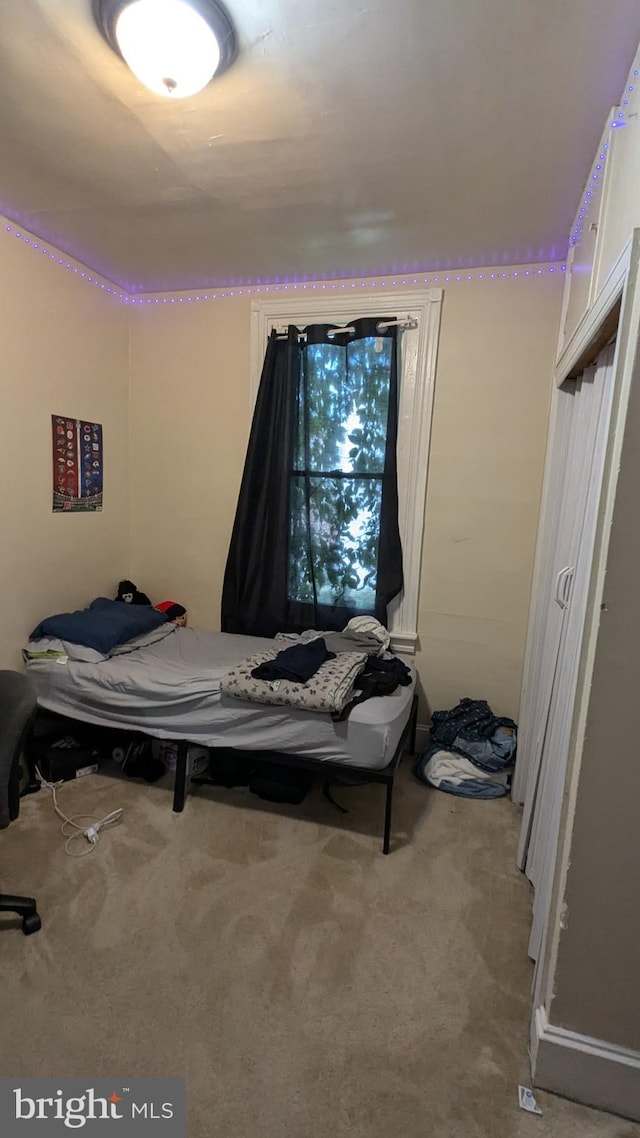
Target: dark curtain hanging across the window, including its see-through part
x=309, y=481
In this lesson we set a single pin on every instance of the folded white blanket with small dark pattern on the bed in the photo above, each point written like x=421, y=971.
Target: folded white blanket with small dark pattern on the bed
x=329, y=690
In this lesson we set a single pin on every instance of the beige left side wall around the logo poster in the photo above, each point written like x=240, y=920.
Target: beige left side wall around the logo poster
x=64, y=349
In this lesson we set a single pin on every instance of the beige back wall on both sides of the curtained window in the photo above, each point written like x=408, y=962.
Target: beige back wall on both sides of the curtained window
x=191, y=415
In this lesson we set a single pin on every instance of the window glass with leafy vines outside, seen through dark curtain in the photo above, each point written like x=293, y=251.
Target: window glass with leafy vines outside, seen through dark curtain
x=337, y=480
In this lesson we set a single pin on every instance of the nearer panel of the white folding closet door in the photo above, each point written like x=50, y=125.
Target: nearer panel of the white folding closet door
x=586, y=472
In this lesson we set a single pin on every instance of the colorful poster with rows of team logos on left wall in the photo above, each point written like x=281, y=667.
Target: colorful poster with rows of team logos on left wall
x=78, y=465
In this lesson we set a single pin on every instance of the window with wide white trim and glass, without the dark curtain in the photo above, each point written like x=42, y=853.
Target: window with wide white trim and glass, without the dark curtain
x=347, y=484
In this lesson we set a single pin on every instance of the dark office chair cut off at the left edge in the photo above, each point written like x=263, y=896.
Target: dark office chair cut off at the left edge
x=18, y=712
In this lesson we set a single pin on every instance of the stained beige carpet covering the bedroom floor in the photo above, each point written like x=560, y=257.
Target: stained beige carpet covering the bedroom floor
x=305, y=985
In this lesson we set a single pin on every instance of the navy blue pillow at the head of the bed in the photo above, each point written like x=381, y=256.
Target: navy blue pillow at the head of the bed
x=103, y=625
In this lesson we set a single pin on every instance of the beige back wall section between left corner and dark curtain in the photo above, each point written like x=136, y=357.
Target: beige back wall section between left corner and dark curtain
x=190, y=427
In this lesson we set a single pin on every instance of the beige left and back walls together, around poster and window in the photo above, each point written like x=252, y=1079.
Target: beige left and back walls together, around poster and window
x=67, y=350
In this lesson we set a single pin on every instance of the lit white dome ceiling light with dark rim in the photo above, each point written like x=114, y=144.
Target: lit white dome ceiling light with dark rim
x=174, y=47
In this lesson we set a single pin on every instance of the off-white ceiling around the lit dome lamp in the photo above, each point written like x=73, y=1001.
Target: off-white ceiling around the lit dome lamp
x=349, y=138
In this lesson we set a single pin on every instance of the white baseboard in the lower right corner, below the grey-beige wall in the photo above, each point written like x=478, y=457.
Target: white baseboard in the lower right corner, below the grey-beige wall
x=587, y=1070
